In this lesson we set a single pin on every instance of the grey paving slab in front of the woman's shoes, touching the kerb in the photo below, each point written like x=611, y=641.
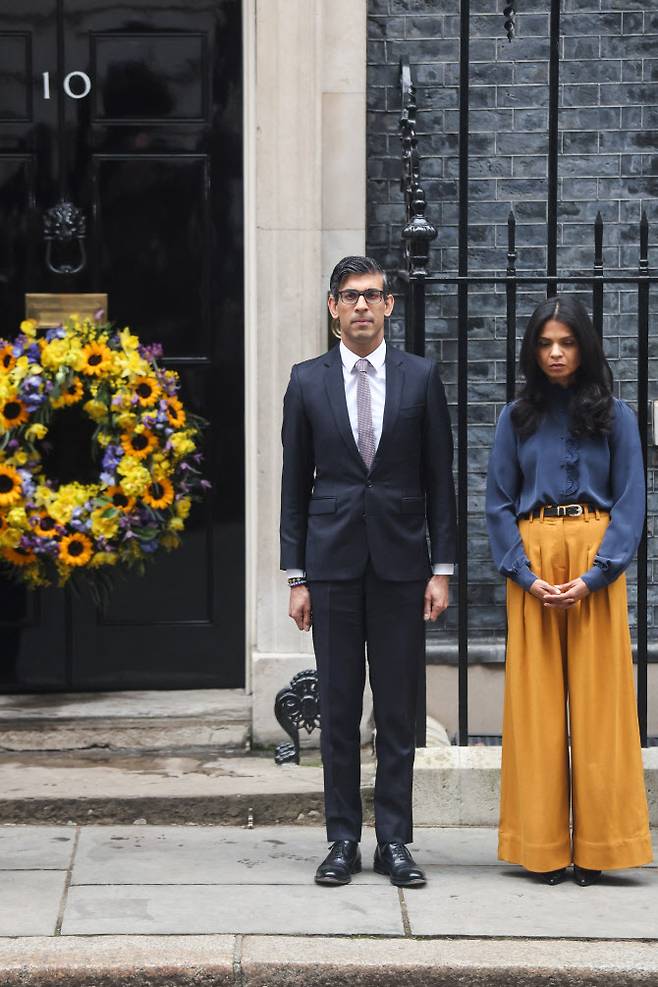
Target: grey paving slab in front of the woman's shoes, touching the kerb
x=506, y=901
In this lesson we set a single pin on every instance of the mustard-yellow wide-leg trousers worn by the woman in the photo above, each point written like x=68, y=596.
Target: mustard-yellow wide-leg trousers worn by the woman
x=583, y=656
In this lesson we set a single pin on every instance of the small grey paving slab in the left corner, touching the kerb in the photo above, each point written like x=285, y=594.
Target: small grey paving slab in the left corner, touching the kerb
x=30, y=901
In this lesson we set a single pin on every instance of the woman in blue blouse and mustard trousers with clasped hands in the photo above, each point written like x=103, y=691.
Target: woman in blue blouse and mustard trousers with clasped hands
x=565, y=512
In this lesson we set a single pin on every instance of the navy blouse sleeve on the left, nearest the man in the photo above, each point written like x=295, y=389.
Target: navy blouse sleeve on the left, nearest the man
x=504, y=480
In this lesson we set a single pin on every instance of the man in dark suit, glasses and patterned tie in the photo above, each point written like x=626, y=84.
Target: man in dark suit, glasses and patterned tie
x=367, y=473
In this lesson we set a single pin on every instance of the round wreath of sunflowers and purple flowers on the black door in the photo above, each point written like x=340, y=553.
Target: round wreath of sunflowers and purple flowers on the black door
x=144, y=447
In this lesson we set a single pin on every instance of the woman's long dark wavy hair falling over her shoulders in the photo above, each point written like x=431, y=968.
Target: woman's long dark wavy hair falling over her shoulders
x=591, y=405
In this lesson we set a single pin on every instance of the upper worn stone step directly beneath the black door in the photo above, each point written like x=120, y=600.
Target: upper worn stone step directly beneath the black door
x=215, y=719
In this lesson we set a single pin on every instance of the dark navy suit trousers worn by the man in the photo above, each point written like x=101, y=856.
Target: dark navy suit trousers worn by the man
x=386, y=618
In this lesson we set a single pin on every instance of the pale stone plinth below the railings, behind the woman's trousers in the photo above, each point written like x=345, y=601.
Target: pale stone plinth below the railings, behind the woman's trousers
x=460, y=786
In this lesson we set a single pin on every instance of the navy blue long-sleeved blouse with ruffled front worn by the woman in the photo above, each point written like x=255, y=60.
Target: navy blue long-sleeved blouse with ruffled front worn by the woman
x=553, y=467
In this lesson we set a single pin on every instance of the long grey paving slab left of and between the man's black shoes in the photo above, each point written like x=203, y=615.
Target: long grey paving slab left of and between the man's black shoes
x=205, y=855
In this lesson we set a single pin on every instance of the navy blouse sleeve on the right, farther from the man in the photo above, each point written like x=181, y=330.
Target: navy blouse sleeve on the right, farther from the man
x=624, y=531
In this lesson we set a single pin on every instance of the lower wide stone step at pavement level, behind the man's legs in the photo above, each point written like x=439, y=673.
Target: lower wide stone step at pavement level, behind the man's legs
x=191, y=787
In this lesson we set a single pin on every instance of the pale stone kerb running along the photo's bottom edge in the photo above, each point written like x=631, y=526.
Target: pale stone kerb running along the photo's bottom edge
x=295, y=961
